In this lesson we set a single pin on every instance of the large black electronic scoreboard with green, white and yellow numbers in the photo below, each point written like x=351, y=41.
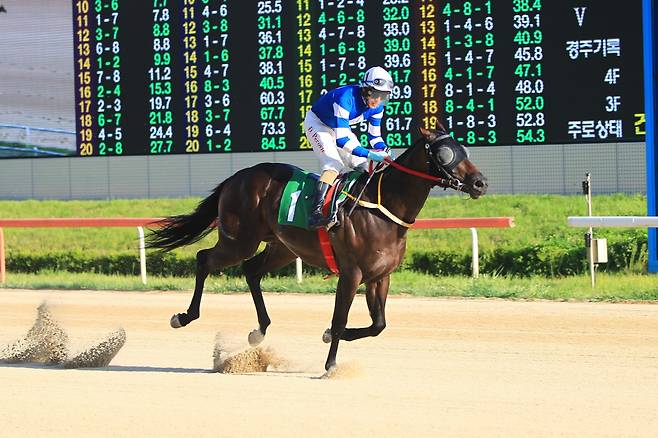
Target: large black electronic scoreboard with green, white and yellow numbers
x=158, y=77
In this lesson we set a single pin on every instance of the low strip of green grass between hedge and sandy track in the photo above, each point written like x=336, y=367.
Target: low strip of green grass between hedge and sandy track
x=619, y=287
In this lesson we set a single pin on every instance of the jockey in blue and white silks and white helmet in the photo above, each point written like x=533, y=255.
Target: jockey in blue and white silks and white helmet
x=327, y=126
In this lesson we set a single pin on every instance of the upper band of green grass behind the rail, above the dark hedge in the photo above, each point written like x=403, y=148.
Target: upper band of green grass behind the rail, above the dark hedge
x=537, y=217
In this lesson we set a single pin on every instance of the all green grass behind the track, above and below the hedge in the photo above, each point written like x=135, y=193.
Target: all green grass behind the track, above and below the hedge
x=538, y=218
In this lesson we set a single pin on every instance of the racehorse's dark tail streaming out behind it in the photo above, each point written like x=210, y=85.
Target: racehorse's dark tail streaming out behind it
x=176, y=231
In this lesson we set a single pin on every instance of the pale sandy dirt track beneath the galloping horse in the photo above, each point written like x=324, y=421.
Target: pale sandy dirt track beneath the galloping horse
x=441, y=368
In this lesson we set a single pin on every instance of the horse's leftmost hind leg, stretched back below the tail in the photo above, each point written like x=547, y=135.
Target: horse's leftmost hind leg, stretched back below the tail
x=224, y=254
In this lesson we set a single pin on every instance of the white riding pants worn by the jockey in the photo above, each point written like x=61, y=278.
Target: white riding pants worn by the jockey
x=323, y=141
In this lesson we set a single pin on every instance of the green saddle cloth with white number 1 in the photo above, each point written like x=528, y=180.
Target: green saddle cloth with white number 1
x=297, y=197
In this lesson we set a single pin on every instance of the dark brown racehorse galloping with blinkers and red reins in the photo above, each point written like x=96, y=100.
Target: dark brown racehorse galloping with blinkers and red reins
x=368, y=244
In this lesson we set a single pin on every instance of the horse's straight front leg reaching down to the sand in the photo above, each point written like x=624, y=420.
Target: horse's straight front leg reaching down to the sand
x=347, y=285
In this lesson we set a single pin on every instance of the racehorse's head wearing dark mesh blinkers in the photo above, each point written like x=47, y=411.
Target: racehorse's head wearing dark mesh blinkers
x=450, y=160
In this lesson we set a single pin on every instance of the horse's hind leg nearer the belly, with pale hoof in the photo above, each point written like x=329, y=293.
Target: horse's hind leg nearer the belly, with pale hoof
x=273, y=257
